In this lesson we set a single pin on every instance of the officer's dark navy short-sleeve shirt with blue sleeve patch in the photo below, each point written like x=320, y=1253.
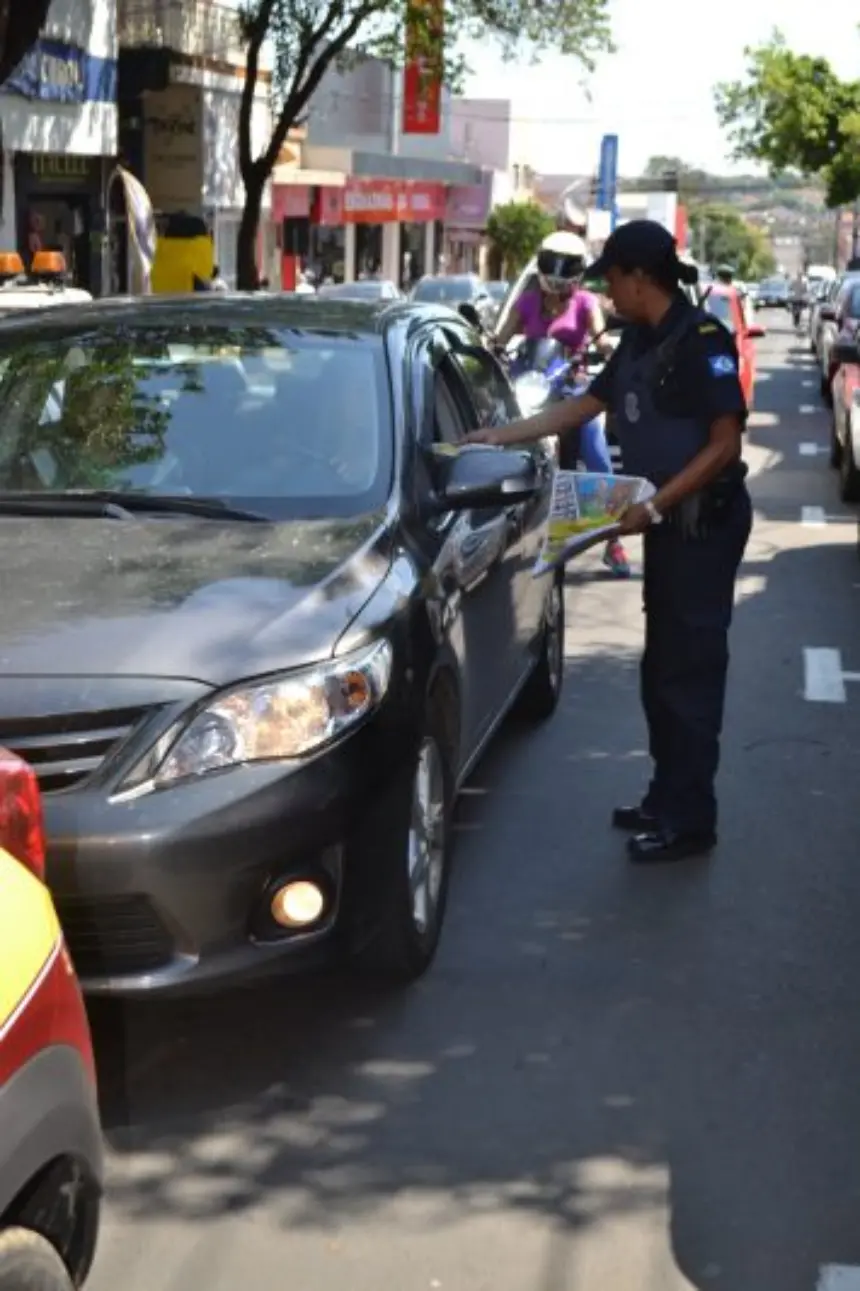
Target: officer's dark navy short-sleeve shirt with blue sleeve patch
x=704, y=378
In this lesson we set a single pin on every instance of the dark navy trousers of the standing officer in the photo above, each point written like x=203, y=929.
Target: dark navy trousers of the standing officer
x=689, y=600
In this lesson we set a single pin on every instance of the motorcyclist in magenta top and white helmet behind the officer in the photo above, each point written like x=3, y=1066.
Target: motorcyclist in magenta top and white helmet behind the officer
x=557, y=307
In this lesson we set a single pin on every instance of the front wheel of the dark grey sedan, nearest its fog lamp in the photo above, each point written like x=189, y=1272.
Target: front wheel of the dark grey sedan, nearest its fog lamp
x=407, y=840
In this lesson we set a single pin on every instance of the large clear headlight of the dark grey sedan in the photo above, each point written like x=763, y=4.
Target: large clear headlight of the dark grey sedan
x=280, y=718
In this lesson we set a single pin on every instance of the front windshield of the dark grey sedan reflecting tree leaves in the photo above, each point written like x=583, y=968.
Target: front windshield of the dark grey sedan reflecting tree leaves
x=286, y=423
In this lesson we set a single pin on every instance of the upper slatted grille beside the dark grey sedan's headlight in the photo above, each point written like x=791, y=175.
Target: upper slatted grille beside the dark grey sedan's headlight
x=65, y=749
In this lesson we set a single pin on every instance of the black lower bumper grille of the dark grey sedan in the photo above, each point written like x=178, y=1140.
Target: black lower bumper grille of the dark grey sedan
x=110, y=937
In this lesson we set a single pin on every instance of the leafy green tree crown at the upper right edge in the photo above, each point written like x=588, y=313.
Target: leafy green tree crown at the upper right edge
x=793, y=113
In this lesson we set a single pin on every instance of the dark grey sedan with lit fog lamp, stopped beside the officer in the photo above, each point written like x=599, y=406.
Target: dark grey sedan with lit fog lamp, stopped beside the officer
x=260, y=624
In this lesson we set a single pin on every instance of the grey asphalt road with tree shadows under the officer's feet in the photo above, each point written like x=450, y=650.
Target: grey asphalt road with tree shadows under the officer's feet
x=613, y=1080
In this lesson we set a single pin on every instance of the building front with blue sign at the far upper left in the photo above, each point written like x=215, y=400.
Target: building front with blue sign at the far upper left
x=60, y=135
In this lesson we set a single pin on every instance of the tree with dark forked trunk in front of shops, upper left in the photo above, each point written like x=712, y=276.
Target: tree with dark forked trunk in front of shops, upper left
x=311, y=37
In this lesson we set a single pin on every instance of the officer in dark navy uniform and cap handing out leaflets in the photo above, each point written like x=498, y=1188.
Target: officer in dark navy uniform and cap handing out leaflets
x=675, y=393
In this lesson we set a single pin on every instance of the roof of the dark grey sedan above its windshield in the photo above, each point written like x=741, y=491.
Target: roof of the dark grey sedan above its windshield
x=285, y=310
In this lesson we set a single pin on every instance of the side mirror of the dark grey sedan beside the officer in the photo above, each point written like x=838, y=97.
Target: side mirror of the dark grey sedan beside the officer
x=482, y=476
